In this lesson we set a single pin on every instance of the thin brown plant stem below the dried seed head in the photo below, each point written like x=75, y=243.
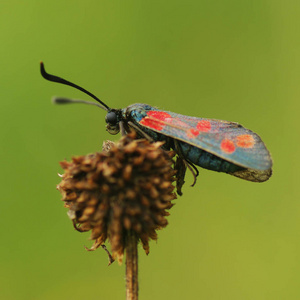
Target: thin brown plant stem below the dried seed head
x=131, y=267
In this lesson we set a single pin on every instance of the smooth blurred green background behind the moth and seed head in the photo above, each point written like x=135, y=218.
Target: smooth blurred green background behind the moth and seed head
x=232, y=60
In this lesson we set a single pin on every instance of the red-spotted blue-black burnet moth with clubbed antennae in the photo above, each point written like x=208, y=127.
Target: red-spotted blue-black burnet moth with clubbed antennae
x=212, y=144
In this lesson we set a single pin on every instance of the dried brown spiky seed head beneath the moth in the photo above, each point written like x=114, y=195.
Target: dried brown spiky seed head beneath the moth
x=127, y=187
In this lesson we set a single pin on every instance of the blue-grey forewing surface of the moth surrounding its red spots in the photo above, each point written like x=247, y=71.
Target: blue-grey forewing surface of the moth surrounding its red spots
x=257, y=157
